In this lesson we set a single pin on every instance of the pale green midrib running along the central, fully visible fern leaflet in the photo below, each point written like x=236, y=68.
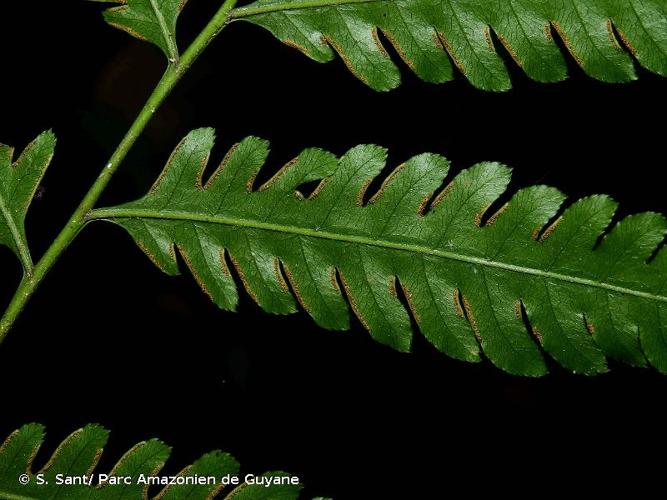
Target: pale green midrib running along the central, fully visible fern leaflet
x=132, y=213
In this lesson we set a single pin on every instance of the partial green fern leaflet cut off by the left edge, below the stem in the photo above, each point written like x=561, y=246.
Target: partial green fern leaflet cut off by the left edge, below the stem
x=19, y=181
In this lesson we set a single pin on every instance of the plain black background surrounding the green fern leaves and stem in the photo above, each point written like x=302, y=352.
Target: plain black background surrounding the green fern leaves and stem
x=109, y=339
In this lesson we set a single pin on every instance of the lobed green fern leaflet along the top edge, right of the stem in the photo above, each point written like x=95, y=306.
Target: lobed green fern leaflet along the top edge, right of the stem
x=428, y=33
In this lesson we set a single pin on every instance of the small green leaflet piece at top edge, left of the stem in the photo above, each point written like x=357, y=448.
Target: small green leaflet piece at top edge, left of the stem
x=150, y=20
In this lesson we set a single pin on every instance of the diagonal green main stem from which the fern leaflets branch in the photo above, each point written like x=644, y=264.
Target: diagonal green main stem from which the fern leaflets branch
x=76, y=222
